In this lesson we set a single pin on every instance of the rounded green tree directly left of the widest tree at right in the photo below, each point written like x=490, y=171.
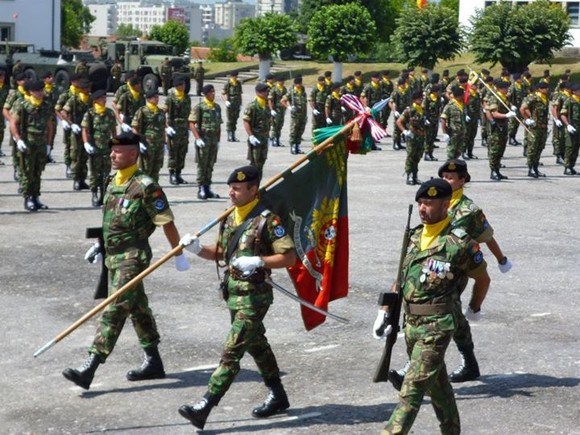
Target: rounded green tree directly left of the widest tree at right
x=424, y=36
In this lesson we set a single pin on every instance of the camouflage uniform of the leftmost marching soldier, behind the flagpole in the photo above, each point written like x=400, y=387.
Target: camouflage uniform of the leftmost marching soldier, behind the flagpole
x=131, y=213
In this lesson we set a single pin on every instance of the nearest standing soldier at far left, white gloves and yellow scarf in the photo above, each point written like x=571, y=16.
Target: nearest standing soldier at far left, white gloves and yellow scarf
x=32, y=125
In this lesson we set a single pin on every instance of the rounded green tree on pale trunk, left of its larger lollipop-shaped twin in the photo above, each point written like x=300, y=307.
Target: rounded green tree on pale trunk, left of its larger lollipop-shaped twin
x=265, y=36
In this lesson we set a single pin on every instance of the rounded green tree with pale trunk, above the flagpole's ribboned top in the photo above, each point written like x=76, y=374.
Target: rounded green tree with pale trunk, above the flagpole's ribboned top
x=341, y=31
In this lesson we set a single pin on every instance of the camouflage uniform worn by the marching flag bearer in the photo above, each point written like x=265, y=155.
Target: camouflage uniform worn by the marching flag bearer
x=248, y=299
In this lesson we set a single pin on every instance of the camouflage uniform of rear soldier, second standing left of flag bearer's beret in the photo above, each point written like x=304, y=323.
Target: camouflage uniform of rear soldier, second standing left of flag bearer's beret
x=177, y=113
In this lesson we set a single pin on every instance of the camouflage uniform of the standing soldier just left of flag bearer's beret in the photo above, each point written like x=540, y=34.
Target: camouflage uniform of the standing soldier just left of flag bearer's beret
x=208, y=123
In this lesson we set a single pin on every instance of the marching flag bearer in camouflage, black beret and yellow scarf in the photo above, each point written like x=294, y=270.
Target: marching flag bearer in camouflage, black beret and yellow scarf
x=248, y=296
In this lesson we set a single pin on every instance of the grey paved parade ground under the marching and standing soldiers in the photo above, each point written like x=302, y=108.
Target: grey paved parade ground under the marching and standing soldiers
x=526, y=344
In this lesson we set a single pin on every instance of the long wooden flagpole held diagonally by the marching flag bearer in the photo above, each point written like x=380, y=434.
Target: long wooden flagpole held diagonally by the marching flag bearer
x=124, y=289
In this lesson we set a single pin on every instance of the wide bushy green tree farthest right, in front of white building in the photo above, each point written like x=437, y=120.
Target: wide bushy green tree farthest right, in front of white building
x=515, y=36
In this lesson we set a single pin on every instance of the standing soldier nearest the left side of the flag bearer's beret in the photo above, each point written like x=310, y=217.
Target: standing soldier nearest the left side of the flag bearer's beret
x=205, y=123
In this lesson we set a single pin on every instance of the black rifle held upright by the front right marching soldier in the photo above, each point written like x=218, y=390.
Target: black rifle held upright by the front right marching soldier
x=394, y=300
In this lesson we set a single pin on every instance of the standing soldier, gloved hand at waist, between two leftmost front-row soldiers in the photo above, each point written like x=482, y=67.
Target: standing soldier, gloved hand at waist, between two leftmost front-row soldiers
x=73, y=112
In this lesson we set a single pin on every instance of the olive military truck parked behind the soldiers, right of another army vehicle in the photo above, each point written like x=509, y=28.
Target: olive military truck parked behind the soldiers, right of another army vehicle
x=146, y=58
